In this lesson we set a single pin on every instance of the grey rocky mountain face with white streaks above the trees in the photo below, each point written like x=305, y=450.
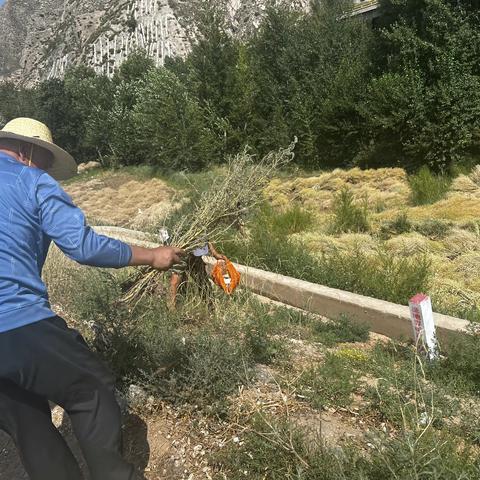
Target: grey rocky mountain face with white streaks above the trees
x=39, y=39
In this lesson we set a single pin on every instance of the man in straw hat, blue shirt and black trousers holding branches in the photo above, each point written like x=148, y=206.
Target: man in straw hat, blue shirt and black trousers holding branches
x=42, y=359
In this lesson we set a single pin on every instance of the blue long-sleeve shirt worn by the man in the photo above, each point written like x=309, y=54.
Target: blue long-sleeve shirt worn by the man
x=34, y=210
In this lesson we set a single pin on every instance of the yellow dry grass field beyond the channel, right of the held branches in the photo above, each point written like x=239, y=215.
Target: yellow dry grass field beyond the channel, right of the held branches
x=456, y=259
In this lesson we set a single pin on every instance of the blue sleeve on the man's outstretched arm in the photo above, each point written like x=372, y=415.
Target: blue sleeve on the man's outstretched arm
x=66, y=225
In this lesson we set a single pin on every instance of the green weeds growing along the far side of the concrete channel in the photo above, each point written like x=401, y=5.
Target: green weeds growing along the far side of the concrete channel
x=379, y=275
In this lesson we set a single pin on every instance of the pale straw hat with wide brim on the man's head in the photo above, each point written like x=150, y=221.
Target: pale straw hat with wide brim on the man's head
x=33, y=131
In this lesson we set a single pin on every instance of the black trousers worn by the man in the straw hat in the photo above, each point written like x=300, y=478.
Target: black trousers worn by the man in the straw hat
x=48, y=361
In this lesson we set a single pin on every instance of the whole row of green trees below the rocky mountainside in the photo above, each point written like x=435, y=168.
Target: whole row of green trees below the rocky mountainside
x=403, y=93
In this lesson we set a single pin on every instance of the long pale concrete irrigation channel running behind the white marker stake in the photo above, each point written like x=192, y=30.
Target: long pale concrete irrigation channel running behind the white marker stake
x=383, y=317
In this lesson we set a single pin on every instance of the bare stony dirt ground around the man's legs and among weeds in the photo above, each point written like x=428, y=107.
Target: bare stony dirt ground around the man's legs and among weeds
x=166, y=444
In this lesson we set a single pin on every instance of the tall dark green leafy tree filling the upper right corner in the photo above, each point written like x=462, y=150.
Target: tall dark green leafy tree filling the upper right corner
x=425, y=105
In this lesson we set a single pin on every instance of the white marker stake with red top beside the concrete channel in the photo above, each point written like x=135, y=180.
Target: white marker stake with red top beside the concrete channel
x=423, y=324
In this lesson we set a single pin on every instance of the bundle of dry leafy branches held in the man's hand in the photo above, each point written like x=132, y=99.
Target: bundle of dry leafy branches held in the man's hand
x=230, y=197
